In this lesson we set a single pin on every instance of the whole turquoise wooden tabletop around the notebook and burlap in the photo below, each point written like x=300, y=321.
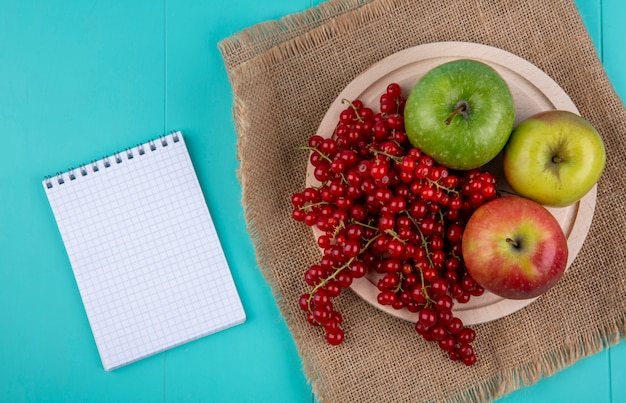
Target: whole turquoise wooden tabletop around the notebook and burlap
x=80, y=79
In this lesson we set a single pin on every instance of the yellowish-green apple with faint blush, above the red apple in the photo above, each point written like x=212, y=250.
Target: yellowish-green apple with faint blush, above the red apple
x=554, y=157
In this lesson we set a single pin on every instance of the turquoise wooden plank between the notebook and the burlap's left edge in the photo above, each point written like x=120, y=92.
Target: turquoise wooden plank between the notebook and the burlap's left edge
x=255, y=361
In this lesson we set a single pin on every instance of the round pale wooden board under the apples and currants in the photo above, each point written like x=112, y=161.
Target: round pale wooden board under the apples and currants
x=533, y=91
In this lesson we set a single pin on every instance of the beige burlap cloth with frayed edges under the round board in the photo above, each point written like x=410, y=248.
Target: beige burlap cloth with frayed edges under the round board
x=284, y=76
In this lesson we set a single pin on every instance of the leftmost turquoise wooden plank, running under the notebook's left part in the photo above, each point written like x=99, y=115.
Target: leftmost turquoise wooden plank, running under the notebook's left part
x=78, y=80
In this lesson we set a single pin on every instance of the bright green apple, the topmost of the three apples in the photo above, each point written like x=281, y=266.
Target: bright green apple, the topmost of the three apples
x=461, y=113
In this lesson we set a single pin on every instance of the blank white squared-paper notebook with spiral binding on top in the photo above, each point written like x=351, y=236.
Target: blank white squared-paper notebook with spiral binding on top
x=143, y=248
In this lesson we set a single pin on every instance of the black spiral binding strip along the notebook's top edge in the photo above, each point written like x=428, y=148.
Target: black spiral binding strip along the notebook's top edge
x=107, y=161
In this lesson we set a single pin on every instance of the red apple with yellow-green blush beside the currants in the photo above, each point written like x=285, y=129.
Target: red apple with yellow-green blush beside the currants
x=514, y=248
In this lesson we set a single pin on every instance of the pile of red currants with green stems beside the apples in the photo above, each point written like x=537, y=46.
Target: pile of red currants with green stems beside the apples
x=385, y=208
